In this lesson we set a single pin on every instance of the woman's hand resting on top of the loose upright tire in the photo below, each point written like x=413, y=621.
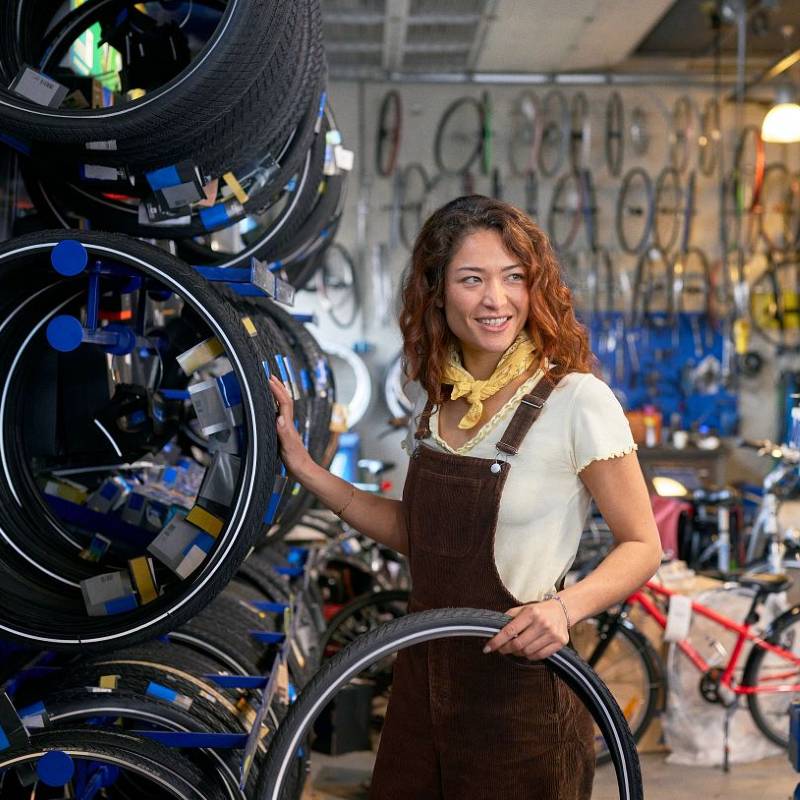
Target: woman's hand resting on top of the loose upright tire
x=537, y=631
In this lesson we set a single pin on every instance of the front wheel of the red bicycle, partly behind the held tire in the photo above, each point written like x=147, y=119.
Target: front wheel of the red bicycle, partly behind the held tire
x=627, y=664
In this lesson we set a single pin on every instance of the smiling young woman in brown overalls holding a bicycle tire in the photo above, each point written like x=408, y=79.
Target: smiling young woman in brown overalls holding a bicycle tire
x=513, y=436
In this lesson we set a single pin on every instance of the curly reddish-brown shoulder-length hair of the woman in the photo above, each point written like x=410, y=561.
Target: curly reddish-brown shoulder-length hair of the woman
x=556, y=333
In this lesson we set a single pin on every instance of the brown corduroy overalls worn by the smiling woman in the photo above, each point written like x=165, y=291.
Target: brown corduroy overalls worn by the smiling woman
x=462, y=725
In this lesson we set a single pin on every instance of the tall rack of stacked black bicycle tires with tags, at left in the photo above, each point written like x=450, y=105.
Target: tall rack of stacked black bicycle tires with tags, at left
x=141, y=493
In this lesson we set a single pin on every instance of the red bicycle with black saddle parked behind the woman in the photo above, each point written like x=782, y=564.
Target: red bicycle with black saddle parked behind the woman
x=629, y=665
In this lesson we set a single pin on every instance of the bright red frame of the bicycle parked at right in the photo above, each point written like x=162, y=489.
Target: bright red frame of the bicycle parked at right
x=744, y=633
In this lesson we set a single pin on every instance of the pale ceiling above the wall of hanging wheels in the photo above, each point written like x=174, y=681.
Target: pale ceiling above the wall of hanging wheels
x=380, y=38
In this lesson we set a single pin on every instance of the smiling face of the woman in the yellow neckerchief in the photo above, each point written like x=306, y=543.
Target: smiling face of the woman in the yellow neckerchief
x=486, y=298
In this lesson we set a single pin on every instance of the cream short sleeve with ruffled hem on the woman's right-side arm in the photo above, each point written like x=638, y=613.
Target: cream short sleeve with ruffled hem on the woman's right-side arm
x=599, y=428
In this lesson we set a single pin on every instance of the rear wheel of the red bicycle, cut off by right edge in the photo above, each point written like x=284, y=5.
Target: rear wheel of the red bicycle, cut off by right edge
x=771, y=710
